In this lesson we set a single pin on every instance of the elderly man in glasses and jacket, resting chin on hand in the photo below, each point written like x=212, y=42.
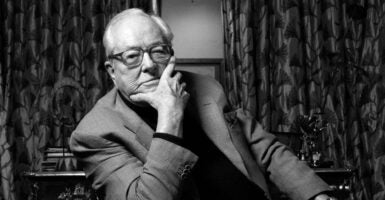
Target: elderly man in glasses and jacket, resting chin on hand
x=160, y=135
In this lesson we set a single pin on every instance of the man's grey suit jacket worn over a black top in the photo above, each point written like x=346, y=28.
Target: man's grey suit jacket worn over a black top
x=122, y=159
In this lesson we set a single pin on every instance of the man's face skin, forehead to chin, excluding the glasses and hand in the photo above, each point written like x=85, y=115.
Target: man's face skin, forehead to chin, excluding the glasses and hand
x=143, y=33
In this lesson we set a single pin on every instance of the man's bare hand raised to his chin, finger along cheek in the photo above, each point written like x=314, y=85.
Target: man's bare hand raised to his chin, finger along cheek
x=169, y=99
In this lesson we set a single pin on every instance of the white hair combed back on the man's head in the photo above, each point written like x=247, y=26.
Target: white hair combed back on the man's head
x=107, y=37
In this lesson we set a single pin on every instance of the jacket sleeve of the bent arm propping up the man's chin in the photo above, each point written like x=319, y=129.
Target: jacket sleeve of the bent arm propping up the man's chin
x=119, y=174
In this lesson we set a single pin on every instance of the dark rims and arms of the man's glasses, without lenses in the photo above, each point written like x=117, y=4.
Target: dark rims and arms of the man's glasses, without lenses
x=118, y=56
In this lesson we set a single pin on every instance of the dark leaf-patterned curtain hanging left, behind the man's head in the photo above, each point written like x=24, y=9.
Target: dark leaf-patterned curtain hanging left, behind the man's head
x=51, y=74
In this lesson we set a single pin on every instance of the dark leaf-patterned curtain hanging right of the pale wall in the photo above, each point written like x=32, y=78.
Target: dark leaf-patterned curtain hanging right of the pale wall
x=286, y=58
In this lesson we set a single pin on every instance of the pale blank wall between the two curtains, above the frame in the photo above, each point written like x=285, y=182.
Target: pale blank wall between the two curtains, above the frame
x=197, y=27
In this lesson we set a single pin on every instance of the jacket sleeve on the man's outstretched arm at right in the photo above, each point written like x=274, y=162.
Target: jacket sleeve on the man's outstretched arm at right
x=284, y=169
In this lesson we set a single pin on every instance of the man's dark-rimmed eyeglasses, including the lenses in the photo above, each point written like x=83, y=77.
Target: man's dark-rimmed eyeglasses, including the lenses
x=133, y=57
